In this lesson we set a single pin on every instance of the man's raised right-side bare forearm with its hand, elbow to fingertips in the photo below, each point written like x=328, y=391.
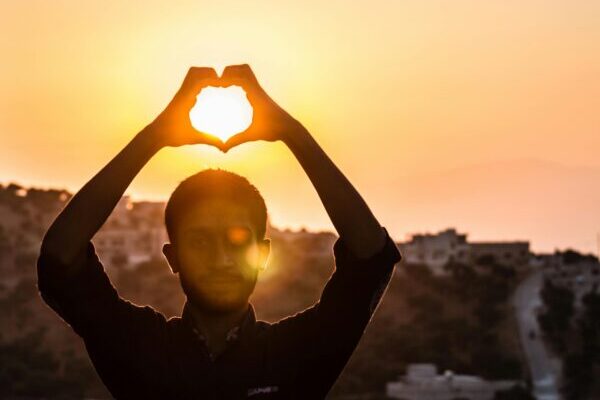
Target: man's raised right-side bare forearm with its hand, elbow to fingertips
x=350, y=215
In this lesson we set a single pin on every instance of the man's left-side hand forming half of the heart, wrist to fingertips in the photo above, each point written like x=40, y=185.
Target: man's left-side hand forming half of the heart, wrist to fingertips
x=173, y=126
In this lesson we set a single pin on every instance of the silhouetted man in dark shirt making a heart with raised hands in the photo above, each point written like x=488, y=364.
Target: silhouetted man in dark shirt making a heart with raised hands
x=216, y=225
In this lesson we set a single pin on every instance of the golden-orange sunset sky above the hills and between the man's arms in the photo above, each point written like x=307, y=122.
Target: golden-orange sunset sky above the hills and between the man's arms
x=480, y=115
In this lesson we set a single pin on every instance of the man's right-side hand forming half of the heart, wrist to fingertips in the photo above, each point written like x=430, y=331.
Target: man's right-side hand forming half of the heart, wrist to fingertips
x=269, y=122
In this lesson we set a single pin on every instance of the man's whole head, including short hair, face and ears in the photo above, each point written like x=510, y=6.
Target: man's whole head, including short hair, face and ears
x=216, y=223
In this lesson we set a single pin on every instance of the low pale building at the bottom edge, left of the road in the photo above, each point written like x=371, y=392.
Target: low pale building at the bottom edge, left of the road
x=422, y=382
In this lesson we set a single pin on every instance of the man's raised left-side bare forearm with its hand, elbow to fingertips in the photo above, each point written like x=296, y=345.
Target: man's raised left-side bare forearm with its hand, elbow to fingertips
x=66, y=239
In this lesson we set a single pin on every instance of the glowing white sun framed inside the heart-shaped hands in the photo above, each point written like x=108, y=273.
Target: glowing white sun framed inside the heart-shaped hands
x=221, y=112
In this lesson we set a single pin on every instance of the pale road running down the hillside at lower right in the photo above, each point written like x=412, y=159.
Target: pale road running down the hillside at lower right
x=545, y=369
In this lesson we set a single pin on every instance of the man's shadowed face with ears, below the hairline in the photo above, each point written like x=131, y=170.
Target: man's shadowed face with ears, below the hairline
x=217, y=255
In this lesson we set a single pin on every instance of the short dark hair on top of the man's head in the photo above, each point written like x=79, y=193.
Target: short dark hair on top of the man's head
x=216, y=184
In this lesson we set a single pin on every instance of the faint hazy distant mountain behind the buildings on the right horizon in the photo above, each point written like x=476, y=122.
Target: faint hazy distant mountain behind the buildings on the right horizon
x=550, y=204
